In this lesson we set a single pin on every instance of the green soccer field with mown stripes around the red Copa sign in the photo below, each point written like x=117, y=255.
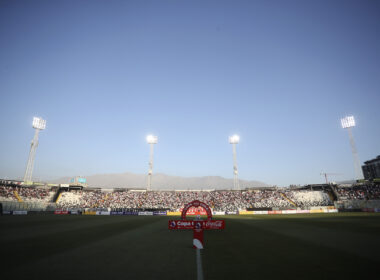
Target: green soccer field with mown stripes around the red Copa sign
x=314, y=246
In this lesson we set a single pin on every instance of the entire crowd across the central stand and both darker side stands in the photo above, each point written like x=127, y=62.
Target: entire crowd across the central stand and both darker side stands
x=175, y=200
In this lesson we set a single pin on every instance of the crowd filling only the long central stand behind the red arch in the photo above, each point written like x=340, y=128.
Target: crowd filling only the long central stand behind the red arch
x=175, y=200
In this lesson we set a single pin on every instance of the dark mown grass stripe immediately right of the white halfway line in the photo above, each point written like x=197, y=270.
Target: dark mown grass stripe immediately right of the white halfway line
x=250, y=250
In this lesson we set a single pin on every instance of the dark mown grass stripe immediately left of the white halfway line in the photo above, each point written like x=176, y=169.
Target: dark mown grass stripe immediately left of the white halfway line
x=147, y=252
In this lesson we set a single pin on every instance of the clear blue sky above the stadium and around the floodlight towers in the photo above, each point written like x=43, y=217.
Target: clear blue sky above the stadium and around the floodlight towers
x=104, y=74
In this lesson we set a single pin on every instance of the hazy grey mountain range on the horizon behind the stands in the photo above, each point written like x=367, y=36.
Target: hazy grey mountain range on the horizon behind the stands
x=162, y=182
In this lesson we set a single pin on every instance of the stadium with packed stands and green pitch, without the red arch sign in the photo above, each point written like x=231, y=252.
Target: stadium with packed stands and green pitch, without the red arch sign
x=316, y=231
